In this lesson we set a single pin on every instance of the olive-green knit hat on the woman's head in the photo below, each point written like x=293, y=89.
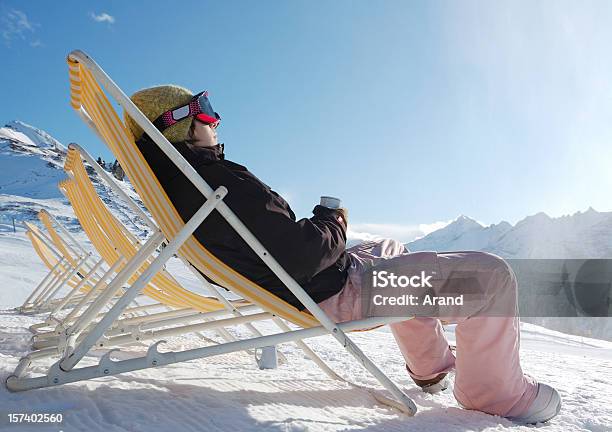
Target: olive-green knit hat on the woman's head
x=153, y=102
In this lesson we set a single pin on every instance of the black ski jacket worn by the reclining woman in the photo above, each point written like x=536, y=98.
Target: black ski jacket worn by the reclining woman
x=311, y=250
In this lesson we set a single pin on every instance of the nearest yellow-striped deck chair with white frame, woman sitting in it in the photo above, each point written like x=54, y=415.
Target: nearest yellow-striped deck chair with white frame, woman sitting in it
x=91, y=103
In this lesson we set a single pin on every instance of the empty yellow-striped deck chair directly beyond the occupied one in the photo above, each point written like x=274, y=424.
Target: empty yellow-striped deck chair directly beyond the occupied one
x=129, y=329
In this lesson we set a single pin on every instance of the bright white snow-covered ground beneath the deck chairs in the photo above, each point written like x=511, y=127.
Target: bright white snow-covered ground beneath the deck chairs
x=228, y=392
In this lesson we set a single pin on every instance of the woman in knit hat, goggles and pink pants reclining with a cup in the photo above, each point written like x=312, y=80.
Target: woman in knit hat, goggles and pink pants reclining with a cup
x=313, y=251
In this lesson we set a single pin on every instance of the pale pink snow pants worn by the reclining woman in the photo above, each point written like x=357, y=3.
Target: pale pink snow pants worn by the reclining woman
x=488, y=374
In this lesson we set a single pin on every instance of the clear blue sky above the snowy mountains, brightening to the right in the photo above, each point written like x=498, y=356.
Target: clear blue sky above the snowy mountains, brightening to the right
x=412, y=112
